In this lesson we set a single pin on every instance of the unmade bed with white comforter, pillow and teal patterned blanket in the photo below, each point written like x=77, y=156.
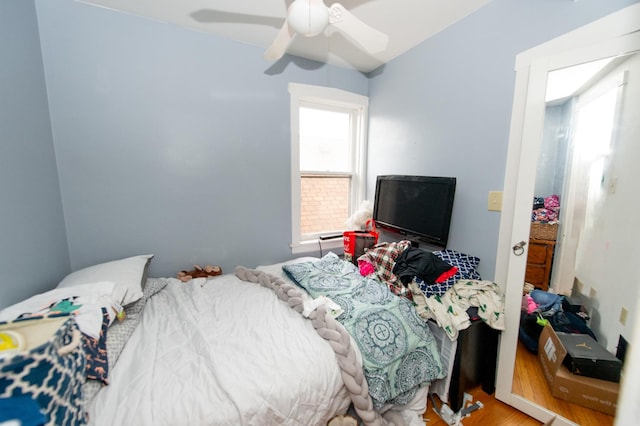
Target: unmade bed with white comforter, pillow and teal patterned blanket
x=251, y=347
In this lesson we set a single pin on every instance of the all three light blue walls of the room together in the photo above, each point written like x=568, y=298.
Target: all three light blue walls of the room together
x=175, y=142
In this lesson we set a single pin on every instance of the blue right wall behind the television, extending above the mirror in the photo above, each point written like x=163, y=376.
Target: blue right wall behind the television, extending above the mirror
x=444, y=108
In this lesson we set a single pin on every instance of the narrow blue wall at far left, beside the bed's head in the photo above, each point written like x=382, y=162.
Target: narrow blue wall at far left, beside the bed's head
x=33, y=246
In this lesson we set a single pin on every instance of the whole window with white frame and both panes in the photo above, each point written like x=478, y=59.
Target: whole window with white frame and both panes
x=328, y=134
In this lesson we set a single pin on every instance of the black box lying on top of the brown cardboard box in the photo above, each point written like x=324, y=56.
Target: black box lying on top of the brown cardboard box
x=586, y=357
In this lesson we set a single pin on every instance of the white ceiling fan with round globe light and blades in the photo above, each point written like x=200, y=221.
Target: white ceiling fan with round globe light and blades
x=309, y=18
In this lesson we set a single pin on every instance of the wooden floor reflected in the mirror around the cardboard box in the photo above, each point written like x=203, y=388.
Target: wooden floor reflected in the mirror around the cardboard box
x=529, y=382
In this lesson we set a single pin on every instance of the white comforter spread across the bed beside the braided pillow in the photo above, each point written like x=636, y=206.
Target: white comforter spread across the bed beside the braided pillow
x=227, y=353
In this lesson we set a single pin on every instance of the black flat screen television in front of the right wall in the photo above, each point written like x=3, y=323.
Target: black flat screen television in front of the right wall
x=418, y=207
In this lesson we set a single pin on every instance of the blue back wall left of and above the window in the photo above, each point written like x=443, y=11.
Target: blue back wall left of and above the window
x=170, y=141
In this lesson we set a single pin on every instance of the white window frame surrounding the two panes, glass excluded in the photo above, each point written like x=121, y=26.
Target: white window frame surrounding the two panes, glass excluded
x=327, y=97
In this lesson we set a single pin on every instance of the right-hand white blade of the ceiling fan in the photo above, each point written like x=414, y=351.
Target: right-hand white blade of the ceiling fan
x=370, y=39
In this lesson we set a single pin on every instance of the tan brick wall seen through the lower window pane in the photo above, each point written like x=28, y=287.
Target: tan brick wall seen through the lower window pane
x=324, y=203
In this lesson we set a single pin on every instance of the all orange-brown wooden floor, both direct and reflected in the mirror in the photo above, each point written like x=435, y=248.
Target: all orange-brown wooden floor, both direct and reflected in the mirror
x=529, y=382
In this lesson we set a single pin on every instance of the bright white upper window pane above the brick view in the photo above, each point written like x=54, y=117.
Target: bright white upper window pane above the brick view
x=324, y=140
